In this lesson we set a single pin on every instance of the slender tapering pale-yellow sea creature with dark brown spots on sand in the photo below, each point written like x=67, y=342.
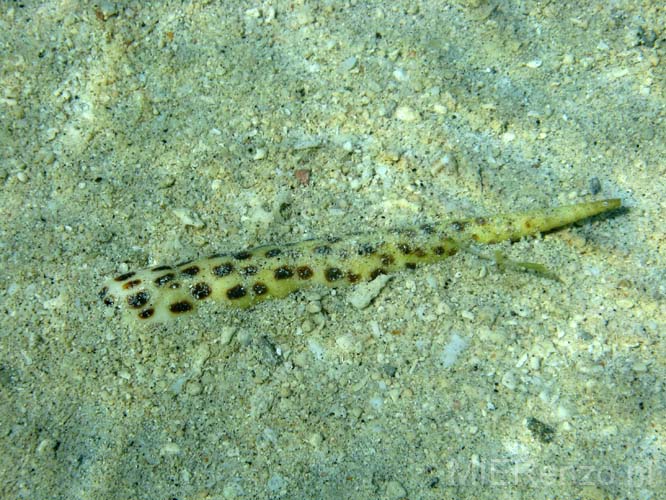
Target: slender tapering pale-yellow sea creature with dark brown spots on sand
x=245, y=278
